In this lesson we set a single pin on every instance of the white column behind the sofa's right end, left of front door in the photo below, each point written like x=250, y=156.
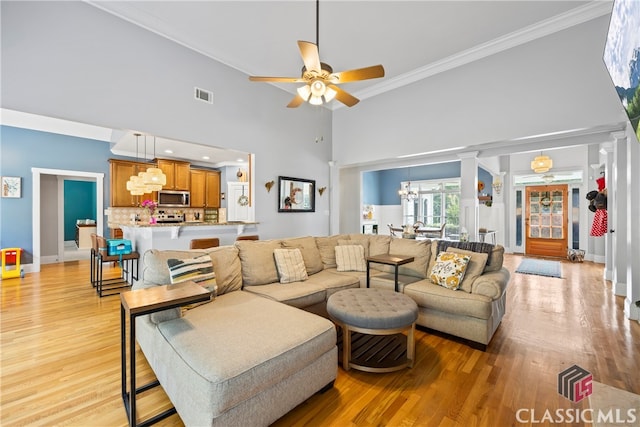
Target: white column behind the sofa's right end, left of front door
x=469, y=207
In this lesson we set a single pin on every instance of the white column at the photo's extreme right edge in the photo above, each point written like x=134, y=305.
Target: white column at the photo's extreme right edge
x=631, y=309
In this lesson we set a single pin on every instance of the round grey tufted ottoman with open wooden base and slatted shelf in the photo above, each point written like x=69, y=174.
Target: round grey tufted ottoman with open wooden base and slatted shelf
x=378, y=312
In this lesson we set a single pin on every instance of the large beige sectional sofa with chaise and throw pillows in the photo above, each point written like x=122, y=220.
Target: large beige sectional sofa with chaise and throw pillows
x=259, y=348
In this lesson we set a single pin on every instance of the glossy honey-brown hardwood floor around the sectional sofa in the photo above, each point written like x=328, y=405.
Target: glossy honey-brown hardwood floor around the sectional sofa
x=61, y=346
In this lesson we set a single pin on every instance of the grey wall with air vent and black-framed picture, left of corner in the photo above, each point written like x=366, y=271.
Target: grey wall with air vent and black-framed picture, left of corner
x=73, y=61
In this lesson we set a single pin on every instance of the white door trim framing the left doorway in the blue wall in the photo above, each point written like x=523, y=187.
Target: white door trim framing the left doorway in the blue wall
x=36, y=208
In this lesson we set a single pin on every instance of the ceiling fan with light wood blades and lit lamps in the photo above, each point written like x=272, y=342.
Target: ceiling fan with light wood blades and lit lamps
x=320, y=80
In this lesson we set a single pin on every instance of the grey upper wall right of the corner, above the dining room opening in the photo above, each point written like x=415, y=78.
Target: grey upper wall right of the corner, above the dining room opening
x=556, y=83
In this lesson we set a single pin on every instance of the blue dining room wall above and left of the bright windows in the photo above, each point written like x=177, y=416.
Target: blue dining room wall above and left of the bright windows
x=381, y=187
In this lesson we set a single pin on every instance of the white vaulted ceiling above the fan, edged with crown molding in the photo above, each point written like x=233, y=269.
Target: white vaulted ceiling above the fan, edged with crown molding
x=411, y=39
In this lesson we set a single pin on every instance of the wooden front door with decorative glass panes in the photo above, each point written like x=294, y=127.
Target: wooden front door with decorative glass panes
x=546, y=223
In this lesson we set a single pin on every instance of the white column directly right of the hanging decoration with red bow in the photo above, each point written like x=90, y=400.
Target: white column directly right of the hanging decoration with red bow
x=617, y=211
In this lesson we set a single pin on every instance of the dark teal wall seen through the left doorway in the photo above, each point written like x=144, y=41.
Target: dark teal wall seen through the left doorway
x=79, y=203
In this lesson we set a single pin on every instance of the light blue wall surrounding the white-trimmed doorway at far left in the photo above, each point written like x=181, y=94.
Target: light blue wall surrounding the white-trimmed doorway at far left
x=23, y=149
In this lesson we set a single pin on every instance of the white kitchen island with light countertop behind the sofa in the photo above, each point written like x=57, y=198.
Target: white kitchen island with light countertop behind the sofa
x=178, y=236
